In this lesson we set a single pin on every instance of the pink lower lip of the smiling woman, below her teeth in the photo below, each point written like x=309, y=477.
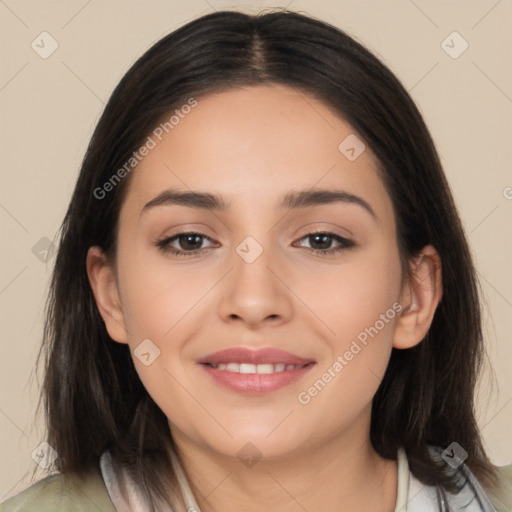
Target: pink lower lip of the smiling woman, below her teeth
x=256, y=383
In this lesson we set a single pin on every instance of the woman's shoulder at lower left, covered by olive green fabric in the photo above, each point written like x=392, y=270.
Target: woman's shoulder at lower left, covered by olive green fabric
x=63, y=493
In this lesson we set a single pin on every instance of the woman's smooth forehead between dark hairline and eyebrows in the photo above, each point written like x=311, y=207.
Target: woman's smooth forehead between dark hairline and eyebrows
x=254, y=143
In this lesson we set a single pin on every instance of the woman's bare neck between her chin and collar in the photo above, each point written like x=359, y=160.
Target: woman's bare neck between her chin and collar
x=356, y=478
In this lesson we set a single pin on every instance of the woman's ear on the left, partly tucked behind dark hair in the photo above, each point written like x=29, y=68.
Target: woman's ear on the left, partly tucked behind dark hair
x=104, y=286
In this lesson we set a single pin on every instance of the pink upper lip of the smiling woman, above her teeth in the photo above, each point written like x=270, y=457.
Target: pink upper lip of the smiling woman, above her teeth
x=260, y=356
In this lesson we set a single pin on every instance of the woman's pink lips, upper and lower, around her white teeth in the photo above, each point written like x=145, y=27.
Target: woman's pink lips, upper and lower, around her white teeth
x=255, y=383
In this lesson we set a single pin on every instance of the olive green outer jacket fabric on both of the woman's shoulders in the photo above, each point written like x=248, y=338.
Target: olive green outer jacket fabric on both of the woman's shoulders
x=64, y=493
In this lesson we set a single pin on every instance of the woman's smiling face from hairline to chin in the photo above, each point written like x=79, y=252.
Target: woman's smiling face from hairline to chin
x=253, y=274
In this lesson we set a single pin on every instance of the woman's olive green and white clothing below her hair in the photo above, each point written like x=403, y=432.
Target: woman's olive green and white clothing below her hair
x=99, y=491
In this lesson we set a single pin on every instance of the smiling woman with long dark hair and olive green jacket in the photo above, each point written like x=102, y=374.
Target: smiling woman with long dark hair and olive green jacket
x=263, y=296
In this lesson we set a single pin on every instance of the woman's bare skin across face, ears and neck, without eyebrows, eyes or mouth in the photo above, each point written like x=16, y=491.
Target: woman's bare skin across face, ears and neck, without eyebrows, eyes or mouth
x=252, y=146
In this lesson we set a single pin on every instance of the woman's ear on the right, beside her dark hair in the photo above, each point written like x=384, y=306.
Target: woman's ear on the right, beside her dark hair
x=419, y=297
